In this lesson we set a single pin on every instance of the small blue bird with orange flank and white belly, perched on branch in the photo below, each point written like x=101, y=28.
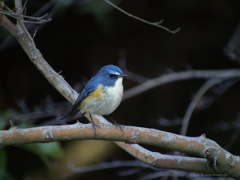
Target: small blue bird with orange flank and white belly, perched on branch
x=101, y=95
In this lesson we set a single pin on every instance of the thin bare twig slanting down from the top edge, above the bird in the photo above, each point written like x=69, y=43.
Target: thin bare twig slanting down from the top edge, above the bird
x=157, y=24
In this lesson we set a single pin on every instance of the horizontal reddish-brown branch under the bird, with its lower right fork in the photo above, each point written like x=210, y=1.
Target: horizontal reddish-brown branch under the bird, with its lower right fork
x=226, y=163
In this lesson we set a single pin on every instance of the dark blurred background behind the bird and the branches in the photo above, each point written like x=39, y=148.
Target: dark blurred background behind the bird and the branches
x=85, y=35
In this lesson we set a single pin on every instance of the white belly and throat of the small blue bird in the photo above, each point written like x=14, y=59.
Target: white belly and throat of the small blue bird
x=109, y=101
